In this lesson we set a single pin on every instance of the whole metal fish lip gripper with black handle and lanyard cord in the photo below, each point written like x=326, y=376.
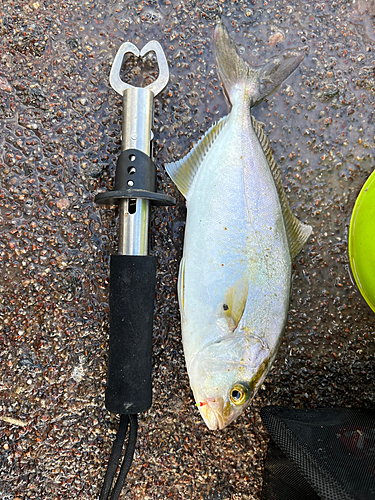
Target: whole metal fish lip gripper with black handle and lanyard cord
x=132, y=270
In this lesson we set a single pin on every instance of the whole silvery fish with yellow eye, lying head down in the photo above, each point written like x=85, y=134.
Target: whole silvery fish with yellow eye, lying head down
x=240, y=239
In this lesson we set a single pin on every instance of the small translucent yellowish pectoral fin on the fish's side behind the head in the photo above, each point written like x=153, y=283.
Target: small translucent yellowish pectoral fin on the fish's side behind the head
x=234, y=302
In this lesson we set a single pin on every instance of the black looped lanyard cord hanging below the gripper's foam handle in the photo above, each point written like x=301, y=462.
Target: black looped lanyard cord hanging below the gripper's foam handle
x=113, y=463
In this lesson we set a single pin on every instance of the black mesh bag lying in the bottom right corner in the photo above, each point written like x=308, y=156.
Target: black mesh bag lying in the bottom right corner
x=326, y=454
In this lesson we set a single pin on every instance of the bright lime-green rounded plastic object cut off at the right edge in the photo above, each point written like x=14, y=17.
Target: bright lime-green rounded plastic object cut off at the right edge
x=362, y=241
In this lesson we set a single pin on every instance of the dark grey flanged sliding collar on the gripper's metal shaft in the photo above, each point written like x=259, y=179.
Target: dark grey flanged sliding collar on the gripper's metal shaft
x=135, y=178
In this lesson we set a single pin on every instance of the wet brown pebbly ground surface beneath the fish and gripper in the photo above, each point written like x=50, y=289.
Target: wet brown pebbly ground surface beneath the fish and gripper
x=60, y=137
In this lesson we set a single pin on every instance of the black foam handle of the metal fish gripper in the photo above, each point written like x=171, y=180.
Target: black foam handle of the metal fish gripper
x=131, y=303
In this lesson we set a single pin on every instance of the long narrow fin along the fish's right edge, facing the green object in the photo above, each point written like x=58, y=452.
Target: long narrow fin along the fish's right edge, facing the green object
x=297, y=233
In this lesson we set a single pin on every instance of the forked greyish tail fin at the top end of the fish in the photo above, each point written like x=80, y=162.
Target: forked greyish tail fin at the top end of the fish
x=260, y=80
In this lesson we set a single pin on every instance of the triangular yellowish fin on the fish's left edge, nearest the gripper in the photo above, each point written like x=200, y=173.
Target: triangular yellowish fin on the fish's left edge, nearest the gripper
x=182, y=172
